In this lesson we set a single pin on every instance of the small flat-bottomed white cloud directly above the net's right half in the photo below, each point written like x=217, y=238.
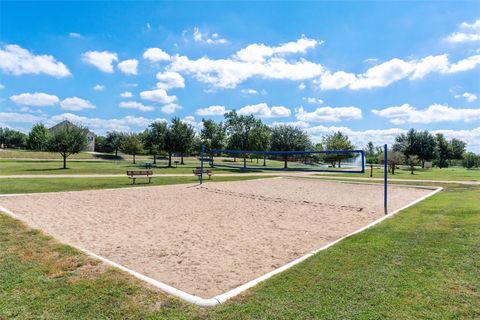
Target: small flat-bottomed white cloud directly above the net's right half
x=329, y=114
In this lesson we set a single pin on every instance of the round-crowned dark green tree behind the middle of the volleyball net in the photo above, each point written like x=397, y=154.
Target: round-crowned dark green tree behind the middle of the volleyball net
x=289, y=138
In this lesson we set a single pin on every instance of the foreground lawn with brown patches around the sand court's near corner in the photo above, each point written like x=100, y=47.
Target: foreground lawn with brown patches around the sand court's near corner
x=421, y=264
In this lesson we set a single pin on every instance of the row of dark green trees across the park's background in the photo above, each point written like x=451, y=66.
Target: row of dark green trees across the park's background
x=240, y=132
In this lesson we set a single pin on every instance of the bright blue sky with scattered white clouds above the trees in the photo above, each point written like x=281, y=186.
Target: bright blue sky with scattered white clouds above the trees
x=371, y=69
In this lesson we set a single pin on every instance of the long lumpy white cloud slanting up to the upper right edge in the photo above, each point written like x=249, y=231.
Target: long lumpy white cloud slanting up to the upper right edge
x=388, y=72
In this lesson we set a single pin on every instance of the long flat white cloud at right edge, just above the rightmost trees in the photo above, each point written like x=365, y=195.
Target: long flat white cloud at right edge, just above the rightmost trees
x=434, y=113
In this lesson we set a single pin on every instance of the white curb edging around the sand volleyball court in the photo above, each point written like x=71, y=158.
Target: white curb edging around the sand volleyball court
x=236, y=291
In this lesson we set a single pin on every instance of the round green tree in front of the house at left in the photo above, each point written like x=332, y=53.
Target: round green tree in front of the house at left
x=67, y=140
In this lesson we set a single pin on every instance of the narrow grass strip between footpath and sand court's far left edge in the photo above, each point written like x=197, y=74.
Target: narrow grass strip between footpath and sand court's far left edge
x=32, y=185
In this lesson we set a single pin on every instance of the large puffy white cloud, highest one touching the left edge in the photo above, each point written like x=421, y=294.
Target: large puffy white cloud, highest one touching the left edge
x=17, y=61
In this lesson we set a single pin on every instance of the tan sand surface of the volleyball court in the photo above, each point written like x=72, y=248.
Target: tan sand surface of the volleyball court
x=208, y=240
